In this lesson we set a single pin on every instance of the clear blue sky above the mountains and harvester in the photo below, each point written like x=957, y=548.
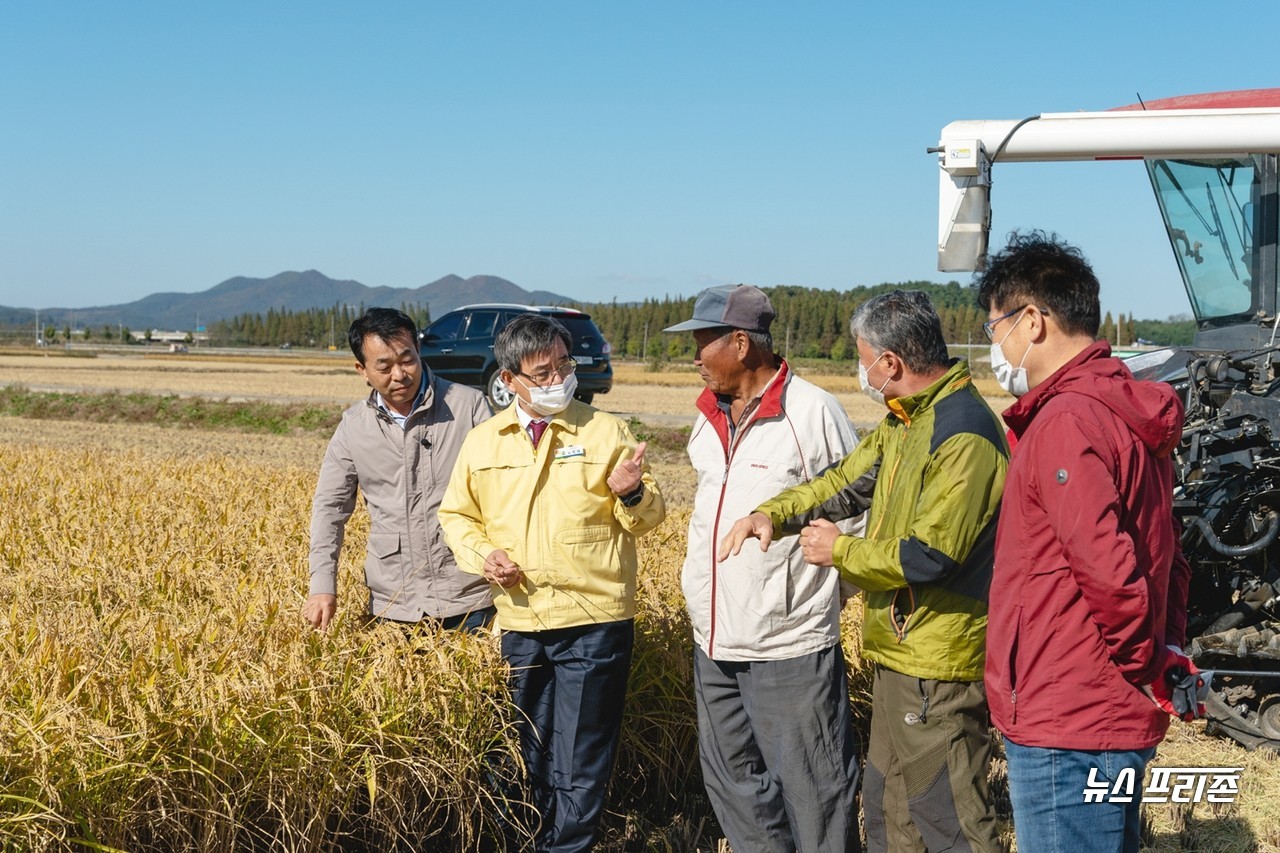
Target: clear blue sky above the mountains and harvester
x=595, y=149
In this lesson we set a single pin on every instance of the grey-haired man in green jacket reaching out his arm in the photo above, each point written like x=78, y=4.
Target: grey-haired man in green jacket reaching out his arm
x=925, y=567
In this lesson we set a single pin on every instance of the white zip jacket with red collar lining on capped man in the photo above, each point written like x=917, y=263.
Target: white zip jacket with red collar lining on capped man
x=760, y=605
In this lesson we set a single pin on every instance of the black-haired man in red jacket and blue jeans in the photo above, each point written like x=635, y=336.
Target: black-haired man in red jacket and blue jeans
x=1085, y=633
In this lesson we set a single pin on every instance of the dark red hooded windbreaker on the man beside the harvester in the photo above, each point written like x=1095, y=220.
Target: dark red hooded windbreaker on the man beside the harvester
x=1090, y=582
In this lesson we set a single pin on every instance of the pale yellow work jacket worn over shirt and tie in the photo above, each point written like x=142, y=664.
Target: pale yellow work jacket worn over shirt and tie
x=555, y=516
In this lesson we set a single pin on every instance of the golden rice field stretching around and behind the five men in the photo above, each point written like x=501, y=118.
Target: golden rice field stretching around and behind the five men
x=159, y=690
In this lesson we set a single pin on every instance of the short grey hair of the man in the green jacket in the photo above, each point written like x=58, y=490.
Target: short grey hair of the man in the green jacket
x=906, y=323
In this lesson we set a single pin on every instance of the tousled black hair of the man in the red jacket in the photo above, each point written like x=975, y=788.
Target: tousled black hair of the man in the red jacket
x=1044, y=271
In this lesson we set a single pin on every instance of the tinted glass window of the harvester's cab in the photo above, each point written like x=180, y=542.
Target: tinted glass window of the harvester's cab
x=1210, y=208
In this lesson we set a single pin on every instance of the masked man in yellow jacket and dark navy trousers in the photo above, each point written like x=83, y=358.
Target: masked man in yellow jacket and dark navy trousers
x=546, y=501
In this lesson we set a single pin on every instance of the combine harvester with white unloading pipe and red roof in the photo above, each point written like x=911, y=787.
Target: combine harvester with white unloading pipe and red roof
x=1214, y=162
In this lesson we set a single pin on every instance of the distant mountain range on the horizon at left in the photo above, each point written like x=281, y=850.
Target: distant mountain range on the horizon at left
x=289, y=291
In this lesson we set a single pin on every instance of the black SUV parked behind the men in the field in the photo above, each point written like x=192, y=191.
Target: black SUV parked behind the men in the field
x=460, y=348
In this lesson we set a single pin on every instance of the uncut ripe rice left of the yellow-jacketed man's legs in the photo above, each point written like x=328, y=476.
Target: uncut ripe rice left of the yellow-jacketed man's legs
x=161, y=692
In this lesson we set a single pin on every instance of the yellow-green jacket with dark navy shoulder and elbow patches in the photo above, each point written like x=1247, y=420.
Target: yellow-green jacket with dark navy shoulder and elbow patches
x=939, y=460
